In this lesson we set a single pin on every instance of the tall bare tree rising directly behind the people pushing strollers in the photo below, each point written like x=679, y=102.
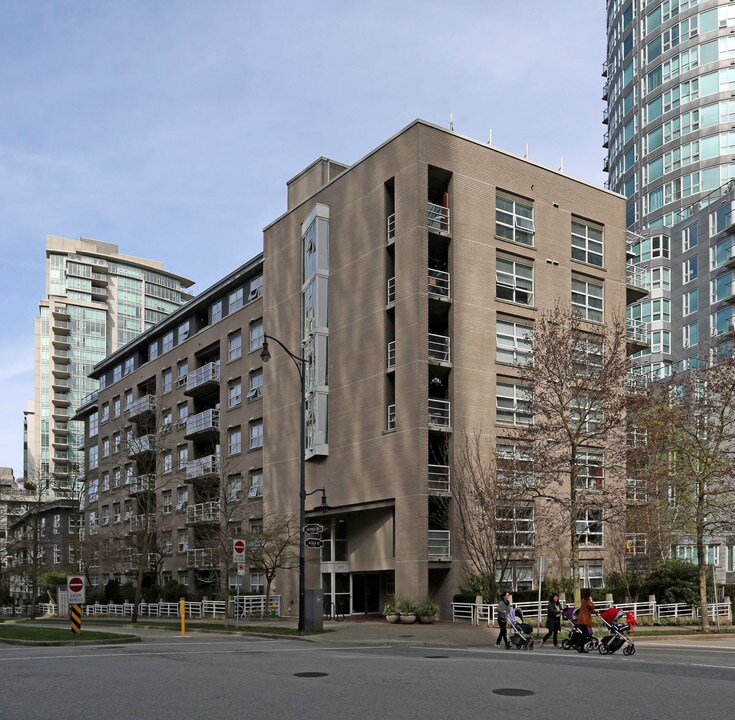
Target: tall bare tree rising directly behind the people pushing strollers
x=576, y=387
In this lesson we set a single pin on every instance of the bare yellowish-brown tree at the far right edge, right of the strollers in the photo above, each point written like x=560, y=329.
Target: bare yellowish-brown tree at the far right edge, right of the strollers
x=689, y=424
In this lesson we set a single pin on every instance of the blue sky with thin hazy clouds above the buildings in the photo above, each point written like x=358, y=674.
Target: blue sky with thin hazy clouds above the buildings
x=170, y=127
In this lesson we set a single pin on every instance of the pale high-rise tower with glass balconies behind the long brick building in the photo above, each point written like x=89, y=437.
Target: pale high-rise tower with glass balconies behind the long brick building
x=97, y=300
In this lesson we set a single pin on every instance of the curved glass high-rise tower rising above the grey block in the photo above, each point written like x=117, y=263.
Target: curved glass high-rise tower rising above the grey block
x=669, y=80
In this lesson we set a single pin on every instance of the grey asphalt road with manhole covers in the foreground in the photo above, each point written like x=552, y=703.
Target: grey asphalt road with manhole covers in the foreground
x=211, y=676
